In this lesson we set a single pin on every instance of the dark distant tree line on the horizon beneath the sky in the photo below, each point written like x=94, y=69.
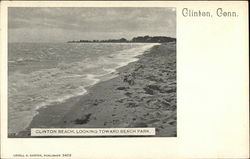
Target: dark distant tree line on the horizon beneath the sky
x=139, y=39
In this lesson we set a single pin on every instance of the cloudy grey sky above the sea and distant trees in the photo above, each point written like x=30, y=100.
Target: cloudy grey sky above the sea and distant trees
x=30, y=24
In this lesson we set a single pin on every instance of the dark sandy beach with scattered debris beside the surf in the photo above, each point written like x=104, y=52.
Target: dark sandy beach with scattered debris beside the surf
x=143, y=94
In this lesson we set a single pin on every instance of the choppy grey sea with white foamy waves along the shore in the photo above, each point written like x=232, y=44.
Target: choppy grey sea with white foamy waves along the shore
x=42, y=74
